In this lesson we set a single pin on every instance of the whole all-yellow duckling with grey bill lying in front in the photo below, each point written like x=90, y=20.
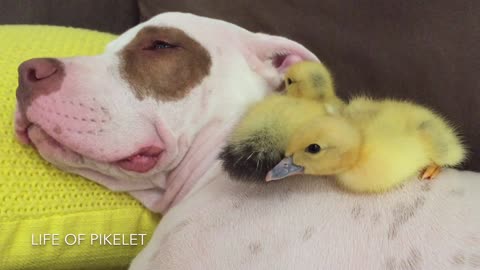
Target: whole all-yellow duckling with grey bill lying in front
x=372, y=146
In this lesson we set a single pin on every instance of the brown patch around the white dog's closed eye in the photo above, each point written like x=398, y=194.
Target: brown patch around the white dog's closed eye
x=165, y=74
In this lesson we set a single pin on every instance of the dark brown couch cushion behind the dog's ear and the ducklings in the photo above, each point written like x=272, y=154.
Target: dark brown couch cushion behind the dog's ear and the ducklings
x=422, y=51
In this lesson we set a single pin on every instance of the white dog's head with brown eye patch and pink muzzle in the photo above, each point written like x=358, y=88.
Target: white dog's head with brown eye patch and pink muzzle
x=129, y=117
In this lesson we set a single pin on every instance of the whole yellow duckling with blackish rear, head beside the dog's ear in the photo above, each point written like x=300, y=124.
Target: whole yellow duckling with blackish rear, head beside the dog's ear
x=259, y=141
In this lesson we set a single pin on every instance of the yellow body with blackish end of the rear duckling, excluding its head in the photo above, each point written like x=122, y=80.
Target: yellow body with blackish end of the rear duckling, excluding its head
x=259, y=141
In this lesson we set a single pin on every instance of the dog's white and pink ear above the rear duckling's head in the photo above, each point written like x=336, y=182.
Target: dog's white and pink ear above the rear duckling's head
x=270, y=56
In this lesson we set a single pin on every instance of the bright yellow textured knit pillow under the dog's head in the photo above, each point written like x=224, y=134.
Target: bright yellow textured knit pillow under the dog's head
x=36, y=198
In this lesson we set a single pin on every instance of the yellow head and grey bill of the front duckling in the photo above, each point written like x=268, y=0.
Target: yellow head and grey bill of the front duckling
x=327, y=146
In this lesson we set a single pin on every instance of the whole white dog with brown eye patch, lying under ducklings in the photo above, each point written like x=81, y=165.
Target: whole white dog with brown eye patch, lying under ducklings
x=150, y=115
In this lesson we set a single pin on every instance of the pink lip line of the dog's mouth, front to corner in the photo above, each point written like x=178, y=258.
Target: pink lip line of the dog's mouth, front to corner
x=141, y=161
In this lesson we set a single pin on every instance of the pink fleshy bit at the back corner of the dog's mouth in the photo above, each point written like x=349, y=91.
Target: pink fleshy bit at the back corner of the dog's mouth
x=141, y=162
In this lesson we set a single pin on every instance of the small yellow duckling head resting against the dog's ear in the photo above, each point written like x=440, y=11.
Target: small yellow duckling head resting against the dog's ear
x=309, y=80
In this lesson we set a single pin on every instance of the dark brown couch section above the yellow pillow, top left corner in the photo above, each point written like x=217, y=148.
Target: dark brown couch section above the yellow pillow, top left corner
x=105, y=15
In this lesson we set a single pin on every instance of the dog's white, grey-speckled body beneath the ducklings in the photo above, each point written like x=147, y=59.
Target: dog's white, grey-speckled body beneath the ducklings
x=310, y=224
